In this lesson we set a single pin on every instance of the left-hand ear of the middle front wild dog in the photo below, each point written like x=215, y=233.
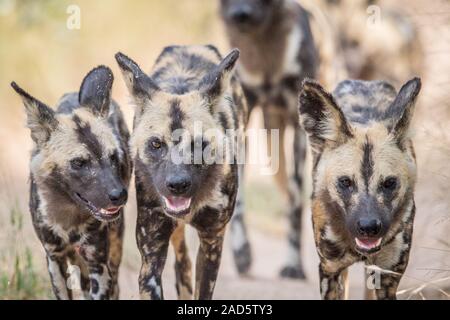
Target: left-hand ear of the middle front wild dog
x=139, y=84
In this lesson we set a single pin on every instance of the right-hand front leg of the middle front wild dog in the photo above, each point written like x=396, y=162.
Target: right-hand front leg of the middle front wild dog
x=208, y=262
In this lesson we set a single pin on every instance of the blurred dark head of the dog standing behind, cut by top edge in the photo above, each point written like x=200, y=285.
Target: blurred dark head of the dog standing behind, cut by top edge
x=249, y=15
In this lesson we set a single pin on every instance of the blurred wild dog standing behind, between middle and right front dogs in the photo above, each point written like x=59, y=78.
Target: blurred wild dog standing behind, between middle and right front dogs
x=277, y=52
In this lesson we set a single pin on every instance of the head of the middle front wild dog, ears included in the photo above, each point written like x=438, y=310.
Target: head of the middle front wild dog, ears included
x=170, y=137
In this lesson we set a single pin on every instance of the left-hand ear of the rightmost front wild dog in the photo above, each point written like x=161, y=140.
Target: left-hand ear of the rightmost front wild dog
x=321, y=117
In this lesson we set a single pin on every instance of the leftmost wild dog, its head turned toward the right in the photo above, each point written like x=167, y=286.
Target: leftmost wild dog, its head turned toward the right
x=80, y=170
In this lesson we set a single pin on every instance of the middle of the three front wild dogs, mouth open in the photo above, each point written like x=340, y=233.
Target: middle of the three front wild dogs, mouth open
x=189, y=86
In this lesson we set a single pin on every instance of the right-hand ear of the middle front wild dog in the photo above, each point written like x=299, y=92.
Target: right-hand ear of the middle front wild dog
x=215, y=83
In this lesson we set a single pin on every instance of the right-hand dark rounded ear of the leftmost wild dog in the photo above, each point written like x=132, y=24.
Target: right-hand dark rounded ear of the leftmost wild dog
x=95, y=90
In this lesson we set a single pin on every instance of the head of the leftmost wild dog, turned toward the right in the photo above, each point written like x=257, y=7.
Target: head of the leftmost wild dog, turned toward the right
x=79, y=159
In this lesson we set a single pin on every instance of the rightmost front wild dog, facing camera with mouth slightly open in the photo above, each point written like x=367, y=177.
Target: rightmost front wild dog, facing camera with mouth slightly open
x=364, y=173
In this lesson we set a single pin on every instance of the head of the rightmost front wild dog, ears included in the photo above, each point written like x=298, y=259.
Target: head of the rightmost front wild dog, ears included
x=364, y=167
